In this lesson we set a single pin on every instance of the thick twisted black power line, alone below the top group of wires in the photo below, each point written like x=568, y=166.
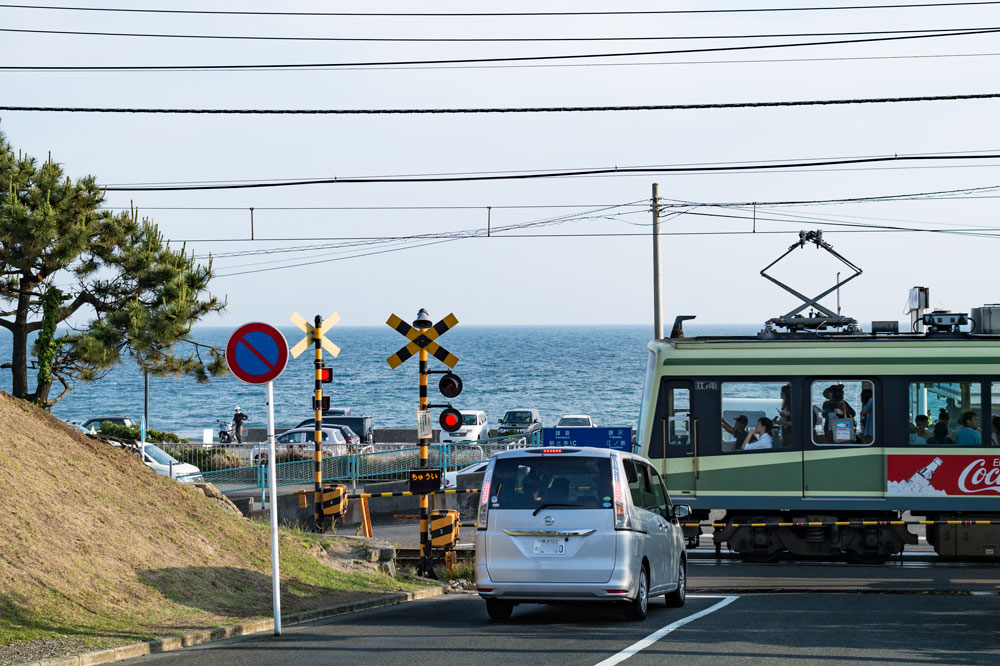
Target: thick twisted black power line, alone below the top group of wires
x=508, y=109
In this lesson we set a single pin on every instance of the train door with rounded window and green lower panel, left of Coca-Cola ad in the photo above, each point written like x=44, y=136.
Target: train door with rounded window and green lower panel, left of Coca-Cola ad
x=843, y=452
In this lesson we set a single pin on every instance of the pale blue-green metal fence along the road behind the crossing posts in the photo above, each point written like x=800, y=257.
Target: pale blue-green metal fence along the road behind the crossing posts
x=386, y=463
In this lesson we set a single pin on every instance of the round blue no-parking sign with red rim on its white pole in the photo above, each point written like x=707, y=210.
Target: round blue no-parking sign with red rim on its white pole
x=257, y=353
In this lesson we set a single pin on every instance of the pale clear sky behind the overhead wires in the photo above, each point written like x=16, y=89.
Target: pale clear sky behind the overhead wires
x=593, y=263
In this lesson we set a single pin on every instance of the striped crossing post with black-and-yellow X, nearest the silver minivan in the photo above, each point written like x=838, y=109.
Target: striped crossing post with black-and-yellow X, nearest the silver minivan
x=422, y=336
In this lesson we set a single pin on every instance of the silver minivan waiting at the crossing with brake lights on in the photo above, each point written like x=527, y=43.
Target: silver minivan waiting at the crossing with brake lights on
x=577, y=524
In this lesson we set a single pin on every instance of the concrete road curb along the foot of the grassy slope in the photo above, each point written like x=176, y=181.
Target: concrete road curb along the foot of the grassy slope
x=171, y=643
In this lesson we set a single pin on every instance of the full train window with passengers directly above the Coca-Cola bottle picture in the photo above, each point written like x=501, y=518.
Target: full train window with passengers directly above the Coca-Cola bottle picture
x=943, y=413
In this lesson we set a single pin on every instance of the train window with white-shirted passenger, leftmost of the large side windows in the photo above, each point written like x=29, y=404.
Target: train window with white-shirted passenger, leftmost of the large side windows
x=744, y=404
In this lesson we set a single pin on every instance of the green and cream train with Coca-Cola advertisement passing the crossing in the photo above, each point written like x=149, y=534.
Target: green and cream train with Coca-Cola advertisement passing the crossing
x=814, y=424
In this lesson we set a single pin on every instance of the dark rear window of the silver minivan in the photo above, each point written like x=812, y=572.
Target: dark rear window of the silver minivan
x=573, y=482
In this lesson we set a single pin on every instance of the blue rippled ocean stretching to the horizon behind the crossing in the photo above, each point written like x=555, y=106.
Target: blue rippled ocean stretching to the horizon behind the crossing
x=596, y=370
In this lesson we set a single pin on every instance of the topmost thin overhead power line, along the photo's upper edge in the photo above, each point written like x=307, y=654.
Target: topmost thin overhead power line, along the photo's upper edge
x=737, y=10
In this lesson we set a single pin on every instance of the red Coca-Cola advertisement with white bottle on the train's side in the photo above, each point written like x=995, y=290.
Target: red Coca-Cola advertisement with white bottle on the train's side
x=943, y=475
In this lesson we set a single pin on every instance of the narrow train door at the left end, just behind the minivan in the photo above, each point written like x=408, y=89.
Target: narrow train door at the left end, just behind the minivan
x=673, y=439
